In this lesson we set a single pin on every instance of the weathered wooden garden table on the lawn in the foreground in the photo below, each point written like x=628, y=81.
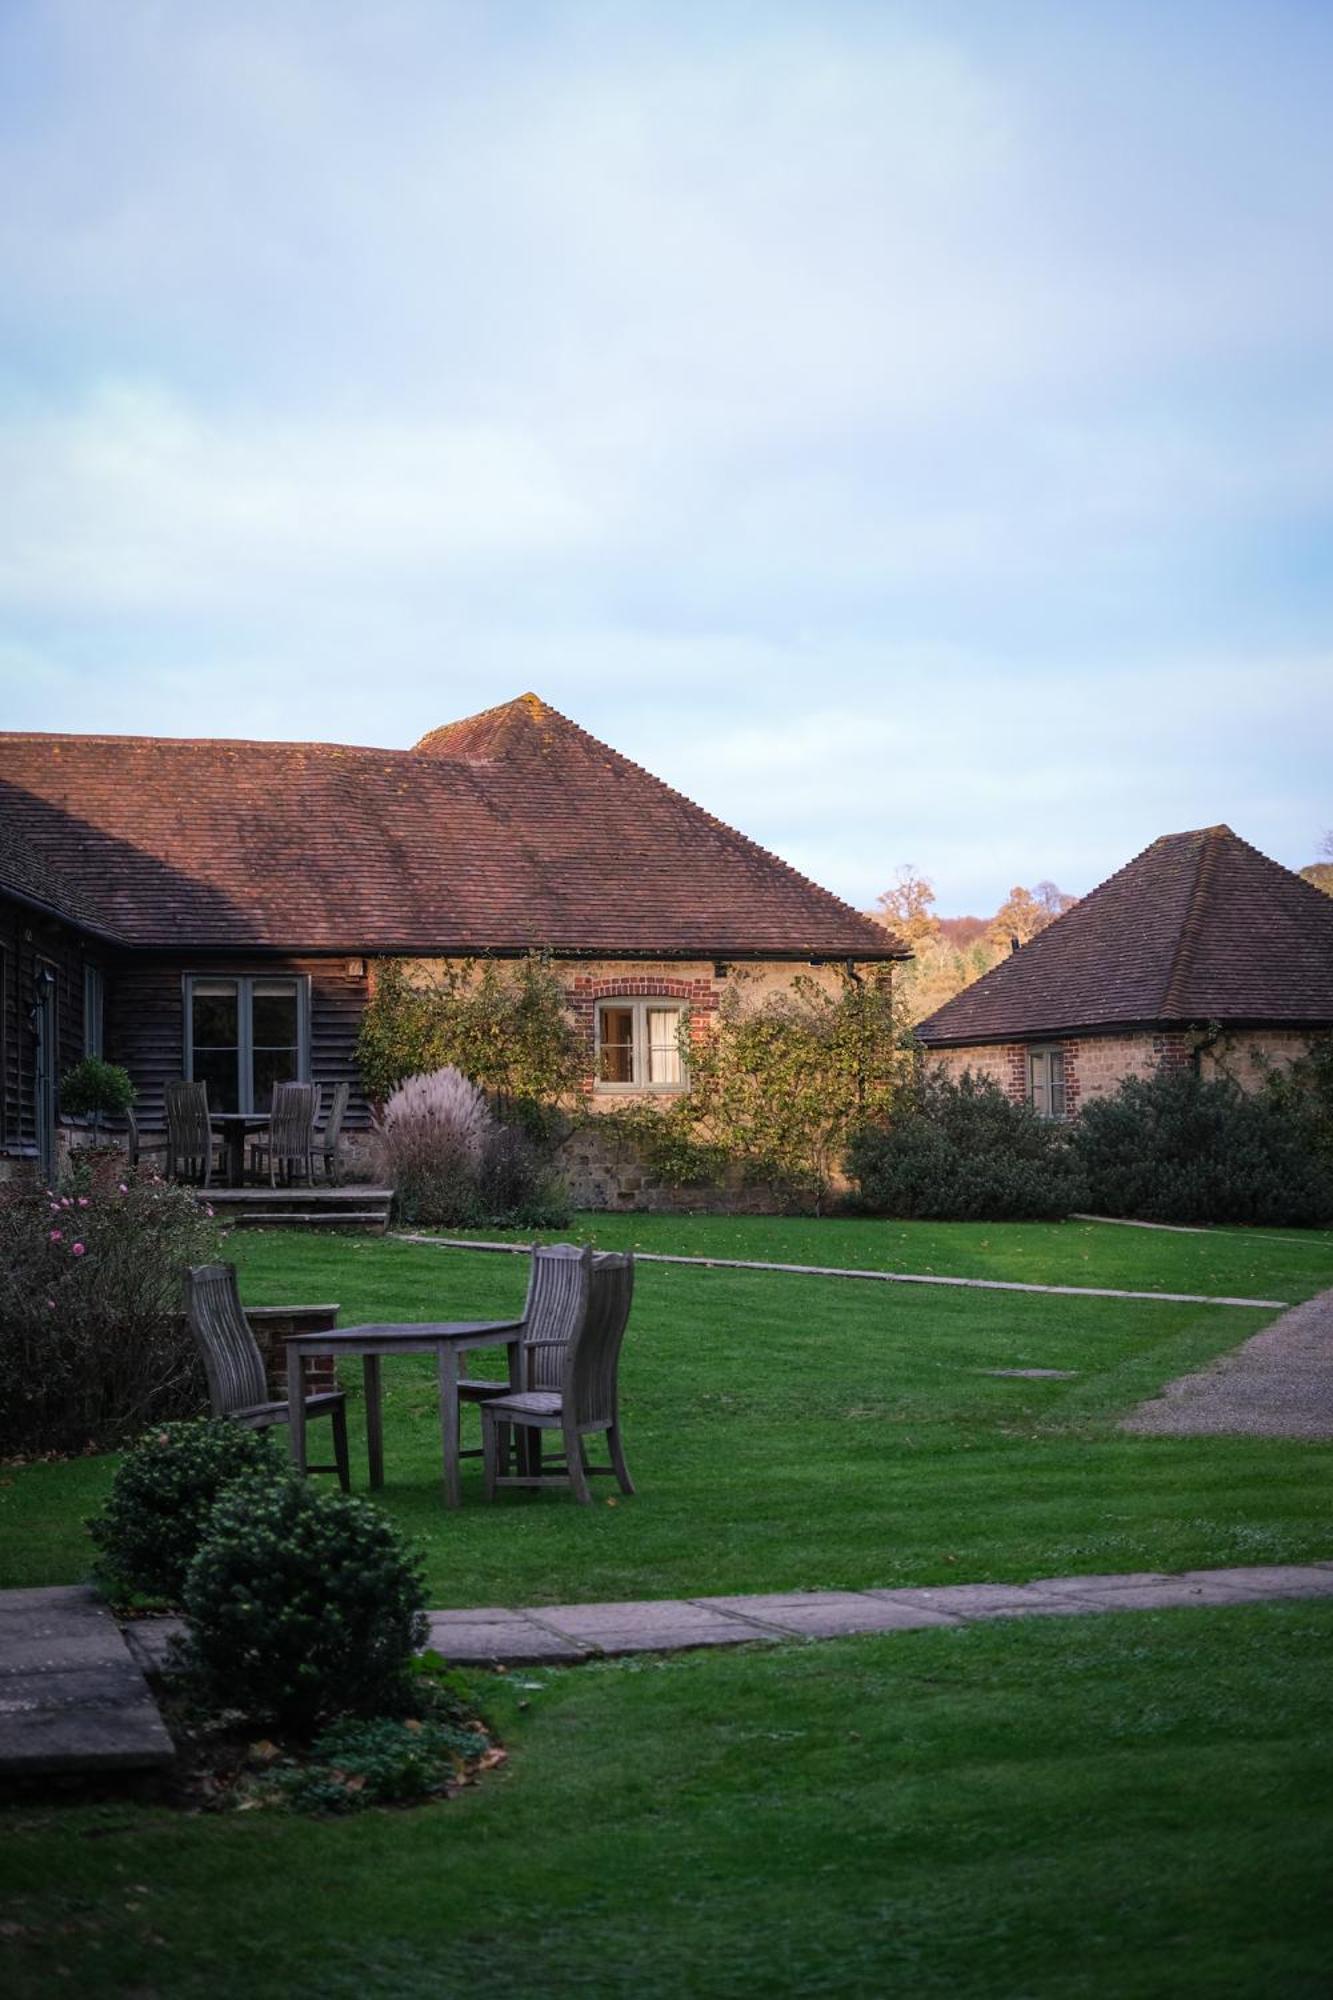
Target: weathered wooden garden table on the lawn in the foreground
x=445, y=1339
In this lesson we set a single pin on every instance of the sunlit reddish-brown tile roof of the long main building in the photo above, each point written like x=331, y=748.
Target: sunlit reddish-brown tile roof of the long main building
x=509, y=831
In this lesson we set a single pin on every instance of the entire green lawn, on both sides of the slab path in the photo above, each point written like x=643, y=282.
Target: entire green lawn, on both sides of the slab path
x=1132, y=1805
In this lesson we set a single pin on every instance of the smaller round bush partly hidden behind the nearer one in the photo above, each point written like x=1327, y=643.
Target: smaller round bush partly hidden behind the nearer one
x=163, y=1495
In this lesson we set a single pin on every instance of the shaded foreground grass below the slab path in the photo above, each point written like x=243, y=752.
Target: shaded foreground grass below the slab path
x=1130, y=1805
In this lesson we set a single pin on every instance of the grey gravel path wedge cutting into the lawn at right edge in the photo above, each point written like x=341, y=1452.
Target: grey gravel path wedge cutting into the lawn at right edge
x=1278, y=1385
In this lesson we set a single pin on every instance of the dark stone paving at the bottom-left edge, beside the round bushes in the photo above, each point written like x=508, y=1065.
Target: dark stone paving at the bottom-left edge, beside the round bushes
x=71, y=1695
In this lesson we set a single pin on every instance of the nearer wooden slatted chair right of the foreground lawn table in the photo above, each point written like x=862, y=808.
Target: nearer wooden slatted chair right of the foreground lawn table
x=585, y=1401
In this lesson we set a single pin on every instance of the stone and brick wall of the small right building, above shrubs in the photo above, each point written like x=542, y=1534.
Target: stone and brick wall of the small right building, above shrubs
x=1098, y=1065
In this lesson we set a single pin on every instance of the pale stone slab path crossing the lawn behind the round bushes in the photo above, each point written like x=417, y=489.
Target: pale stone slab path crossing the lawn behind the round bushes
x=563, y=1635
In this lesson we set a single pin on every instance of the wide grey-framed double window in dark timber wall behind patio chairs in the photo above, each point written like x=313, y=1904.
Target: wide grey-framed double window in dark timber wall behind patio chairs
x=243, y=1035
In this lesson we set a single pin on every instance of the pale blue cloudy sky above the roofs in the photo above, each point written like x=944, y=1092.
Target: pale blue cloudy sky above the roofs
x=904, y=427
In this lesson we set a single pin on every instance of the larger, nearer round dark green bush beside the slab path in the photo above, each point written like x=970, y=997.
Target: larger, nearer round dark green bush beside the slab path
x=303, y=1607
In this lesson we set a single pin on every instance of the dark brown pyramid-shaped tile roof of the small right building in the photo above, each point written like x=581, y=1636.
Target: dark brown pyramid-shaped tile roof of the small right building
x=1200, y=927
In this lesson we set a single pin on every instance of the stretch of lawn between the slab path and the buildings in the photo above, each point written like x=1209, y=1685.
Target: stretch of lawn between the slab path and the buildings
x=804, y=1433
